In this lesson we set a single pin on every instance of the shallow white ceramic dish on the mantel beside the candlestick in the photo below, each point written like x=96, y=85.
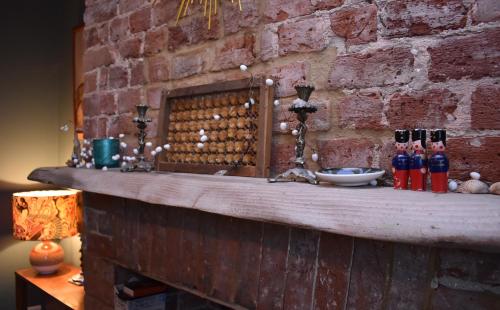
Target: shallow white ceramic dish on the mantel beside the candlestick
x=349, y=176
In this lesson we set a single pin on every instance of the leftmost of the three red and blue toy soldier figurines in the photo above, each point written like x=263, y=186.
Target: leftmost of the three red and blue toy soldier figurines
x=401, y=162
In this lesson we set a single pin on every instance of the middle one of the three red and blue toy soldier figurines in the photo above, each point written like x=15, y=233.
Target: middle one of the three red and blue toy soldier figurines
x=418, y=161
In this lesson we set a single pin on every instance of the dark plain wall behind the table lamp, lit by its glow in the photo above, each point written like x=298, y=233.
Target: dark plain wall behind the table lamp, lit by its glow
x=35, y=98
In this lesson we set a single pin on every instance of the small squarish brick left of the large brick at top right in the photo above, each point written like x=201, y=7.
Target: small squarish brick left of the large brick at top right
x=357, y=25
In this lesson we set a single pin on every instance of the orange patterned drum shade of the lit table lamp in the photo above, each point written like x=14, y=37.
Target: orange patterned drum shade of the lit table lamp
x=45, y=215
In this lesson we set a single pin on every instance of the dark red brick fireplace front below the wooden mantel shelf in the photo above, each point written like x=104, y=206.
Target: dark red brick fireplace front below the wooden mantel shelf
x=267, y=266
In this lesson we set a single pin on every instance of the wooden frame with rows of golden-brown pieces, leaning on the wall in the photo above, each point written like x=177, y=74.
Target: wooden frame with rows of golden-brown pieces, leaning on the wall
x=261, y=128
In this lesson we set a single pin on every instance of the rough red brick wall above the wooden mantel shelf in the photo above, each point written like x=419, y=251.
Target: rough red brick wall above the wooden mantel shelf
x=377, y=66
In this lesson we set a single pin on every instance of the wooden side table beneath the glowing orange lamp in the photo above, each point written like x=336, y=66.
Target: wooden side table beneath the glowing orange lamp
x=50, y=291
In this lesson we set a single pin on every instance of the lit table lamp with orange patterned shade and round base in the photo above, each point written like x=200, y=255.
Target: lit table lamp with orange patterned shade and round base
x=45, y=215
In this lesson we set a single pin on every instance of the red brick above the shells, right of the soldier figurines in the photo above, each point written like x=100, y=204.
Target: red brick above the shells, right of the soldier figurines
x=481, y=154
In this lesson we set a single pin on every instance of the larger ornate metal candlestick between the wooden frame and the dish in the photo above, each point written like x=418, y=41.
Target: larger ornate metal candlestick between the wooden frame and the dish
x=301, y=107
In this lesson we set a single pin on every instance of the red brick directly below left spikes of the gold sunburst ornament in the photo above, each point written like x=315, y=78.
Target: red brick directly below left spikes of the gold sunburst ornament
x=192, y=32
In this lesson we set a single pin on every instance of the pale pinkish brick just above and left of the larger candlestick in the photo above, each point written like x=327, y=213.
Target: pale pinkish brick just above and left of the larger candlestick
x=287, y=76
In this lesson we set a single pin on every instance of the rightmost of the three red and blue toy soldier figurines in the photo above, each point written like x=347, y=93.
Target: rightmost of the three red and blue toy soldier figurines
x=438, y=163
